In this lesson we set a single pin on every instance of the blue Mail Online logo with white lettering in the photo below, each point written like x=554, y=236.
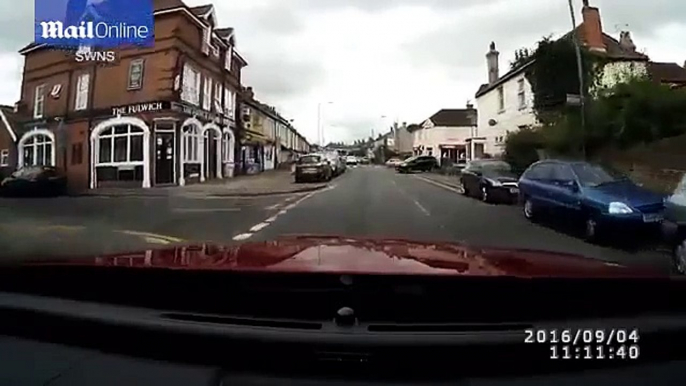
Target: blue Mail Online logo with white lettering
x=104, y=24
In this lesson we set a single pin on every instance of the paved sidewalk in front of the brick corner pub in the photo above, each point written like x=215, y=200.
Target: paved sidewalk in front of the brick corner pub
x=263, y=184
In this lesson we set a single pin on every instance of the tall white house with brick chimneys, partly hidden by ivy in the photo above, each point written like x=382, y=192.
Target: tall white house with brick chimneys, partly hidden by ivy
x=505, y=103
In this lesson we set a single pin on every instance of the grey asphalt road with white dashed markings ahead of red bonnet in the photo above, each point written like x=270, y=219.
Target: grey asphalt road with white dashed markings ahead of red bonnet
x=366, y=202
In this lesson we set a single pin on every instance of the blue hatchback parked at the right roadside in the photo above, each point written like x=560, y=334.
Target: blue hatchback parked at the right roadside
x=600, y=198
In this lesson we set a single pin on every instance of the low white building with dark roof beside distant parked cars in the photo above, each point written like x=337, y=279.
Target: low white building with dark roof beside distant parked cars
x=448, y=134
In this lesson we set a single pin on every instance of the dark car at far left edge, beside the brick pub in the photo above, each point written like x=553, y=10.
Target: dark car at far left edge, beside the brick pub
x=34, y=181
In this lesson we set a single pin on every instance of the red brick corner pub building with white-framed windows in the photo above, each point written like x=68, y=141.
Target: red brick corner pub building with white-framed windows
x=155, y=116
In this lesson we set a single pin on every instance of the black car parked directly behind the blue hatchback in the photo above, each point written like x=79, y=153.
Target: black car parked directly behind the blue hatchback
x=490, y=180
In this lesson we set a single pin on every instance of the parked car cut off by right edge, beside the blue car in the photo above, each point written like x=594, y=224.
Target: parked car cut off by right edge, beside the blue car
x=675, y=215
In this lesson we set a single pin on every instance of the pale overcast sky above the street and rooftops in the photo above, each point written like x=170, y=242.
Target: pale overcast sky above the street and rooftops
x=368, y=63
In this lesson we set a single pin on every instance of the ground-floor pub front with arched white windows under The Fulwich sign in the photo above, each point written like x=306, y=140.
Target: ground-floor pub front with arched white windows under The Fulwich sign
x=160, y=143
